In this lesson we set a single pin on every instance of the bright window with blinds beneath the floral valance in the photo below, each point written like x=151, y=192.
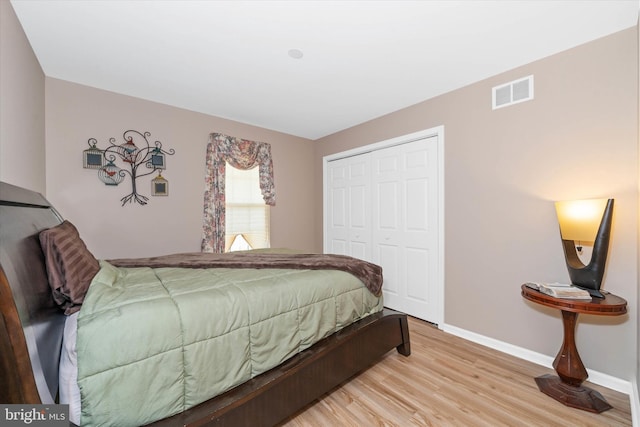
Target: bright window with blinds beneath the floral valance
x=247, y=215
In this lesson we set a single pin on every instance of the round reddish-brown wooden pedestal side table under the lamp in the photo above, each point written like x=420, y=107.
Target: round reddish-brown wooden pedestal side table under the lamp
x=567, y=386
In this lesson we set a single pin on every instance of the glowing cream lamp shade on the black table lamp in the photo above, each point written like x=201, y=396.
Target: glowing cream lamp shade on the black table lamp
x=580, y=219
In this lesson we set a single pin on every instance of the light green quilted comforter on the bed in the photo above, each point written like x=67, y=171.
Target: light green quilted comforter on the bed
x=154, y=342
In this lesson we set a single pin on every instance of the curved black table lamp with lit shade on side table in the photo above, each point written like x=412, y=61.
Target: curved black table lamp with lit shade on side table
x=586, y=222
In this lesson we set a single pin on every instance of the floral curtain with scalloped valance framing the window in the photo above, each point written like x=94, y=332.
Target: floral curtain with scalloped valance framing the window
x=241, y=154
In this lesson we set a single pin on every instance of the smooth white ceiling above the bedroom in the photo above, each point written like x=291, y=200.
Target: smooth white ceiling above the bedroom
x=362, y=59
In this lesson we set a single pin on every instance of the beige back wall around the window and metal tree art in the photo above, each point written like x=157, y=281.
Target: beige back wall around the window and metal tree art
x=76, y=113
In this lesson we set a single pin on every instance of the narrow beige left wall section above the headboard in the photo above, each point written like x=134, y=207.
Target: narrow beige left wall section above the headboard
x=22, y=160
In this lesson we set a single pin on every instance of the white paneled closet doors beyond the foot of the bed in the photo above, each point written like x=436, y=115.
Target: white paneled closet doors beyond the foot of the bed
x=383, y=208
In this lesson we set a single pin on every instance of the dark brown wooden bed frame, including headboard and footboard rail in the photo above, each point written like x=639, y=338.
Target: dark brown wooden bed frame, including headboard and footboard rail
x=31, y=329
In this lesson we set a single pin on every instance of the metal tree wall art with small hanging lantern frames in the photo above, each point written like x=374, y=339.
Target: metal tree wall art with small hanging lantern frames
x=133, y=153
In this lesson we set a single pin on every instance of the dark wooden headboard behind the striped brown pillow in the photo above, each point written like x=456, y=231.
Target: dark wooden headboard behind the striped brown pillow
x=31, y=325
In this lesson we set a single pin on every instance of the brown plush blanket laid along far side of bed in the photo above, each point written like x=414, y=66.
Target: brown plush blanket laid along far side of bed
x=370, y=274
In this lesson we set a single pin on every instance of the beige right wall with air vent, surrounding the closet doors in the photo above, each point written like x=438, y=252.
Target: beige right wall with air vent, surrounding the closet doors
x=503, y=169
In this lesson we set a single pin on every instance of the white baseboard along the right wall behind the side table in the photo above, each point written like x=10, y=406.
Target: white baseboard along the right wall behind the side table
x=595, y=377
